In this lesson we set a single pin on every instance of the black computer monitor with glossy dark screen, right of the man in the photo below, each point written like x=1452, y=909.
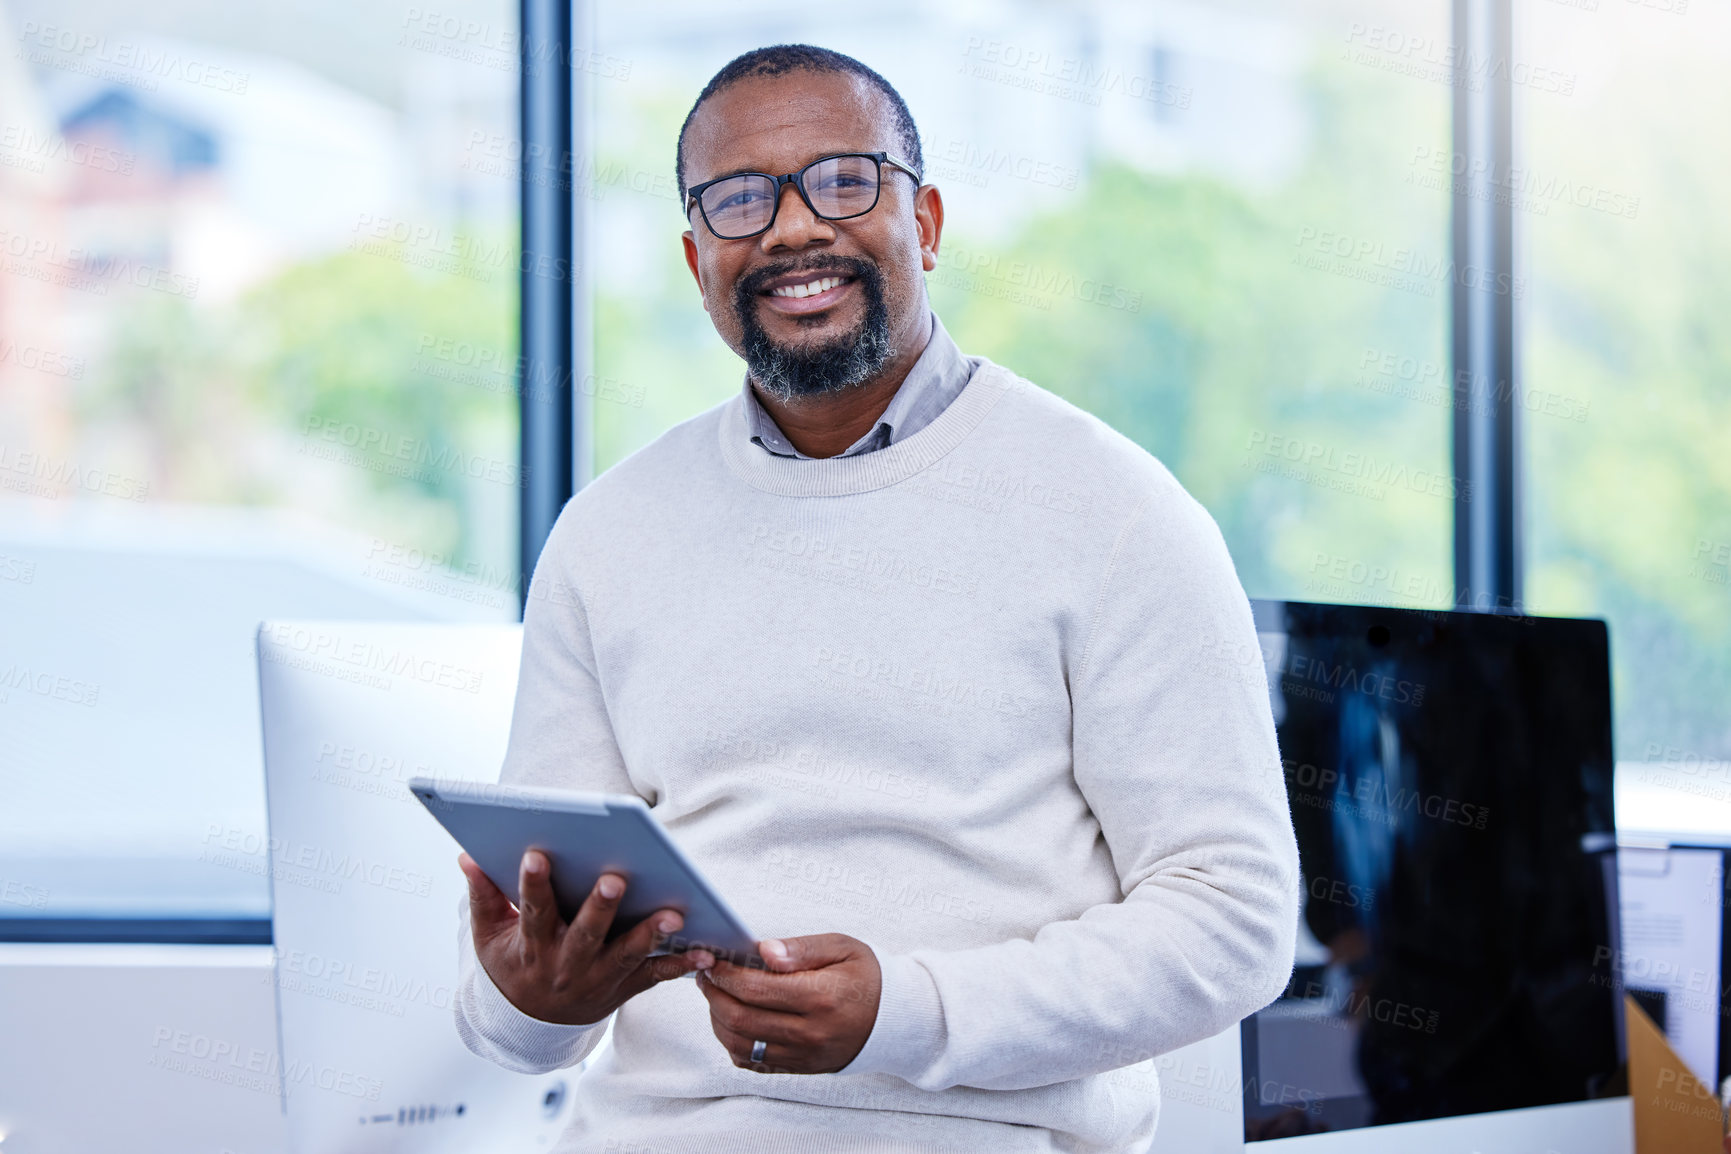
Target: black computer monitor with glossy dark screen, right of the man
x=1451, y=788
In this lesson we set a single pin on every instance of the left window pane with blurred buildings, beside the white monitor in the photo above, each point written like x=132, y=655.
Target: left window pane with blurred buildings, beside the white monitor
x=259, y=295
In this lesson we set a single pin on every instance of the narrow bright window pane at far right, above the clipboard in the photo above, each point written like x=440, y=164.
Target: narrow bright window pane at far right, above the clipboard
x=1626, y=401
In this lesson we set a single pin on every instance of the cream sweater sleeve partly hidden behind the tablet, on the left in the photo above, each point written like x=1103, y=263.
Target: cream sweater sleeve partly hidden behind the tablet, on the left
x=560, y=736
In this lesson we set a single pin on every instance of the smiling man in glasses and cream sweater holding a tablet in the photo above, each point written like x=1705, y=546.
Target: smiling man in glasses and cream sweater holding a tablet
x=941, y=681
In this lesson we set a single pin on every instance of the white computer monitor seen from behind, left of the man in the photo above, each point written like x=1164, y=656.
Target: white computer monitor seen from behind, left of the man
x=366, y=887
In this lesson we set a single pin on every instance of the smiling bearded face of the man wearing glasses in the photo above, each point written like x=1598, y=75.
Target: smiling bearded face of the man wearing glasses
x=875, y=316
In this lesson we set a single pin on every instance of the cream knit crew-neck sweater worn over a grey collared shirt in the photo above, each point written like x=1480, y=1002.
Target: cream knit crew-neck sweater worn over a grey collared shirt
x=988, y=700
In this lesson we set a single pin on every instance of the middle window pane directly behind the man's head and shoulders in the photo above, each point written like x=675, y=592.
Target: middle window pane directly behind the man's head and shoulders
x=1221, y=228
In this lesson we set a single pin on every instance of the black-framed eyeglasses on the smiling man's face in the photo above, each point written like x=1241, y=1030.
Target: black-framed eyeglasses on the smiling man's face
x=835, y=188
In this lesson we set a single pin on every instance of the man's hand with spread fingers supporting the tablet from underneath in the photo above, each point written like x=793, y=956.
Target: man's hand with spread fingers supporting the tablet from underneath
x=565, y=971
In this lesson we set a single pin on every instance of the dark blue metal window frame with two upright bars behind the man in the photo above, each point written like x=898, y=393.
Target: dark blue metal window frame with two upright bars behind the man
x=557, y=343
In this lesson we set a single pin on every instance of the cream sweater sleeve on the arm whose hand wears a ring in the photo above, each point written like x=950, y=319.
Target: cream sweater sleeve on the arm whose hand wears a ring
x=1174, y=752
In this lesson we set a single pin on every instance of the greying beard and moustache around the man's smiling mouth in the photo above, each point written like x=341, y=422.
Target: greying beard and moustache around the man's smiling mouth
x=842, y=364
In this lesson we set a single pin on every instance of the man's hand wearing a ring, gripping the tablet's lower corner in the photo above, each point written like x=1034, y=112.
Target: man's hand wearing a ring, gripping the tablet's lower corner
x=814, y=1008
